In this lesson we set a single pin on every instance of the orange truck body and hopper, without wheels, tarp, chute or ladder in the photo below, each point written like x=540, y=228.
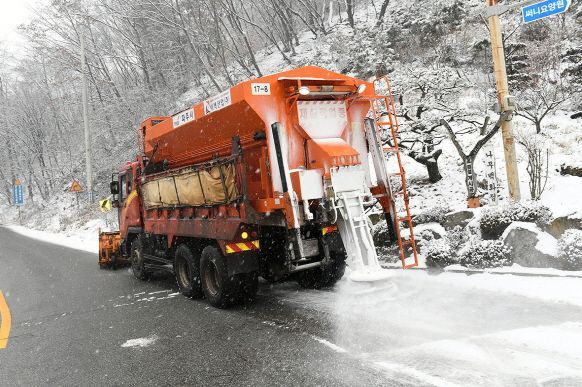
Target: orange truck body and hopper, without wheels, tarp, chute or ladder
x=285, y=134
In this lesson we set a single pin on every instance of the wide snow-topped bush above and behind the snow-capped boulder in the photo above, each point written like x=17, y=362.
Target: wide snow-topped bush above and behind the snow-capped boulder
x=495, y=220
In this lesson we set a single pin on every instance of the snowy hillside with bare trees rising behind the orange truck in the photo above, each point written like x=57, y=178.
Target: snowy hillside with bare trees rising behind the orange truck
x=436, y=55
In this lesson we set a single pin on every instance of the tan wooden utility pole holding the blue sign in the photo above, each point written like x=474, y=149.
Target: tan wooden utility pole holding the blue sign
x=502, y=97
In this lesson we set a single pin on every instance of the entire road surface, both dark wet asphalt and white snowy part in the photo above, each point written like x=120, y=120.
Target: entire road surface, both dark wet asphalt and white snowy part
x=73, y=324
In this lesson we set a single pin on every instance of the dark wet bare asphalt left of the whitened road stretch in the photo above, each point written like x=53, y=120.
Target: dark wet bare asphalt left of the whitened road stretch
x=70, y=321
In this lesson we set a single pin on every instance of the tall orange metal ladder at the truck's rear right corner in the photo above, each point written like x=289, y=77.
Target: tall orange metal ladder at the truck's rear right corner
x=382, y=107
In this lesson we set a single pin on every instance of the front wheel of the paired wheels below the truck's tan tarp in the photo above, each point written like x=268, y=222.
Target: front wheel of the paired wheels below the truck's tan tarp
x=187, y=271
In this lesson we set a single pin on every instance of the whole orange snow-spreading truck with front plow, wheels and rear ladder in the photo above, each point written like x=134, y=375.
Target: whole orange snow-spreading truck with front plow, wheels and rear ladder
x=274, y=177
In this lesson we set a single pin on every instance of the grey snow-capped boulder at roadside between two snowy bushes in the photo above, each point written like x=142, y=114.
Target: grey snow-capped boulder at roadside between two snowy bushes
x=530, y=246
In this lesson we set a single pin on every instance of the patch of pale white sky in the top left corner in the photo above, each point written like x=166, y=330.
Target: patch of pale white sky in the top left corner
x=12, y=14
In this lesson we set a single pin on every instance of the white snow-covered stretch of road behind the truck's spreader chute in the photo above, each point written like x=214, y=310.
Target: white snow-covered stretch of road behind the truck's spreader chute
x=454, y=329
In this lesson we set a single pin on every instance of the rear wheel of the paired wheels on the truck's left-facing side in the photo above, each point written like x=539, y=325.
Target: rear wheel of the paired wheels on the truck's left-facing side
x=218, y=287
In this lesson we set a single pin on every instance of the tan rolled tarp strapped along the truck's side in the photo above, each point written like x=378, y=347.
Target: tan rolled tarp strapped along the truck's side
x=189, y=188
